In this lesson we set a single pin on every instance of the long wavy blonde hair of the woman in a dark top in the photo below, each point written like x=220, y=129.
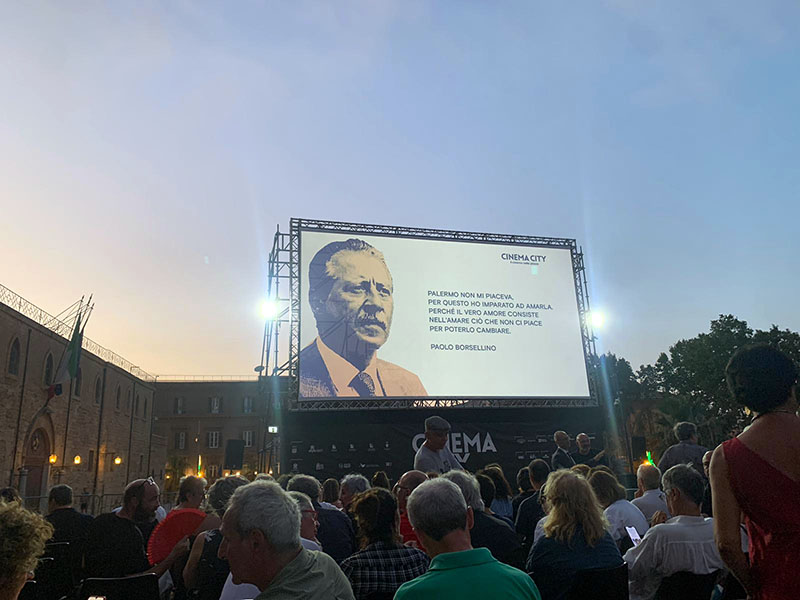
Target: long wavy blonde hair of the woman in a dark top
x=573, y=506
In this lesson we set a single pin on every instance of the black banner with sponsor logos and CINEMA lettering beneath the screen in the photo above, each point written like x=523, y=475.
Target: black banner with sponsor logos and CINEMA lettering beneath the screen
x=335, y=446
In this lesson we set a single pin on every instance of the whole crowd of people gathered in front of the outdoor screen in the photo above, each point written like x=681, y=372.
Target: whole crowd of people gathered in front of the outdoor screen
x=442, y=532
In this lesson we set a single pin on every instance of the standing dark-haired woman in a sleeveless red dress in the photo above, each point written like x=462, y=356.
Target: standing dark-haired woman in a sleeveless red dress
x=756, y=476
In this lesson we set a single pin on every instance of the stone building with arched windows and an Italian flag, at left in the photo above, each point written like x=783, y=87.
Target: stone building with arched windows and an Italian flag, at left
x=106, y=413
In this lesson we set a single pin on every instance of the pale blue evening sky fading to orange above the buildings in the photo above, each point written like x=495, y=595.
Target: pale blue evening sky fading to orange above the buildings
x=148, y=152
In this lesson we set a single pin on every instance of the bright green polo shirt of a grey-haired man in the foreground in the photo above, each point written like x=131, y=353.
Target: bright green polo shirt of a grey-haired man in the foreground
x=469, y=574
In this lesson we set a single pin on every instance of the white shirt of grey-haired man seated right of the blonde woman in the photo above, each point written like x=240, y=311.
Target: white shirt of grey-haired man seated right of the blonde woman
x=681, y=544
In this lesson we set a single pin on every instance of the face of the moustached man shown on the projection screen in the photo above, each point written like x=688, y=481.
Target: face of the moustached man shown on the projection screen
x=361, y=296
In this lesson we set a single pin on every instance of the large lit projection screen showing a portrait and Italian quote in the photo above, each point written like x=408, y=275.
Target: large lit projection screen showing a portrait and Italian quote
x=414, y=317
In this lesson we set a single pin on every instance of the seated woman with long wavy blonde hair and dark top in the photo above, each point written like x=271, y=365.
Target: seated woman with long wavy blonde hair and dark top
x=575, y=536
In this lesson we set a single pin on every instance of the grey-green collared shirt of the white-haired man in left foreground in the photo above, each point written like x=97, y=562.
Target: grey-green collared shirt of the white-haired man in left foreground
x=311, y=576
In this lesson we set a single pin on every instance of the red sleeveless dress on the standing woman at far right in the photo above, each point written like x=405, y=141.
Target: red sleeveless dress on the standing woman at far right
x=770, y=501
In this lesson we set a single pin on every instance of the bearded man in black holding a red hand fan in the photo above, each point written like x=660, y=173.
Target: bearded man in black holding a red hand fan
x=115, y=547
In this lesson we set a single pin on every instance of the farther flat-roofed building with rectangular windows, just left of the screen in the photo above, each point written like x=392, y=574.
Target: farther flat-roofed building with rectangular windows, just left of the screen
x=199, y=416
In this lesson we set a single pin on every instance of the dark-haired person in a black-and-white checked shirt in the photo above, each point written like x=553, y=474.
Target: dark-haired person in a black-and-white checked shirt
x=383, y=564
